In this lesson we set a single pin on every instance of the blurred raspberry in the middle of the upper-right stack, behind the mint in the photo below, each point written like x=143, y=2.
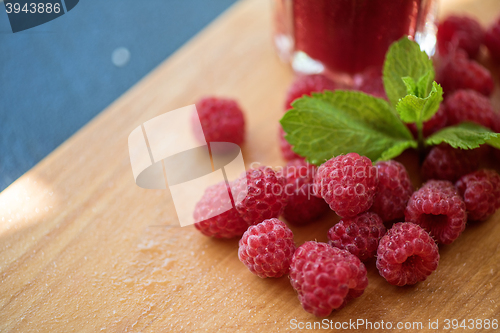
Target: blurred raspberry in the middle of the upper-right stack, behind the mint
x=458, y=72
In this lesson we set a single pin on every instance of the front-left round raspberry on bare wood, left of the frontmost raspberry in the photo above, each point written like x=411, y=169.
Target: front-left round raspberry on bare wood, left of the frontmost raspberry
x=267, y=248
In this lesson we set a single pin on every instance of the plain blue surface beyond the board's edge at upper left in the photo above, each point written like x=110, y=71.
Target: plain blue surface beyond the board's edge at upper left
x=57, y=76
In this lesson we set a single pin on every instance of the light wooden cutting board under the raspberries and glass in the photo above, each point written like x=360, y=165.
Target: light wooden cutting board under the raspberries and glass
x=82, y=248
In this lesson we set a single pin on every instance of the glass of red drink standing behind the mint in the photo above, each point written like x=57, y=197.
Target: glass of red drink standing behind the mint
x=343, y=38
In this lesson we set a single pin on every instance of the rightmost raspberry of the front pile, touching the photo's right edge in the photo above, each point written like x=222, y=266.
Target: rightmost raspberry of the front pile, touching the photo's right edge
x=481, y=193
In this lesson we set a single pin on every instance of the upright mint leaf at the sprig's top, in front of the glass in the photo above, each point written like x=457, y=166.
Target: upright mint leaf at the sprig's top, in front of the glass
x=405, y=59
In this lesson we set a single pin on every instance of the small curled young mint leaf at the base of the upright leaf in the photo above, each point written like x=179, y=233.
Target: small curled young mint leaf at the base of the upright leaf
x=413, y=109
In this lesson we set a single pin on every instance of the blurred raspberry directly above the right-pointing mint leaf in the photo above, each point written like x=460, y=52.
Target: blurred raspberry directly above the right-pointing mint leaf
x=469, y=105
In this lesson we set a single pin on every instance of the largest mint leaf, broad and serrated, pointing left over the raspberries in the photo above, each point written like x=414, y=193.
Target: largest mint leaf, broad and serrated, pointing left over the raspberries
x=333, y=123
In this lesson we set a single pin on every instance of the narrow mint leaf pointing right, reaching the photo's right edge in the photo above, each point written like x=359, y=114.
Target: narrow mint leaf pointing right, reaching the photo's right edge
x=465, y=136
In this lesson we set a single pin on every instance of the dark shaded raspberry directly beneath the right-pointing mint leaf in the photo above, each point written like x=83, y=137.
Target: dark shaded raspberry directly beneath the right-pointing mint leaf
x=447, y=163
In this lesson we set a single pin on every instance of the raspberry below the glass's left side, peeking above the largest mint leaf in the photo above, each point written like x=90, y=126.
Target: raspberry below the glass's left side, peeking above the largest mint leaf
x=305, y=85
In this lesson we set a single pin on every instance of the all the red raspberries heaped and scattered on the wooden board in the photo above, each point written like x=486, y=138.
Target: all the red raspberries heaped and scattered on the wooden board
x=372, y=200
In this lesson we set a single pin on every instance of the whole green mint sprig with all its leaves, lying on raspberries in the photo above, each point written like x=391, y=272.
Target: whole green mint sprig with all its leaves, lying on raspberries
x=332, y=123
